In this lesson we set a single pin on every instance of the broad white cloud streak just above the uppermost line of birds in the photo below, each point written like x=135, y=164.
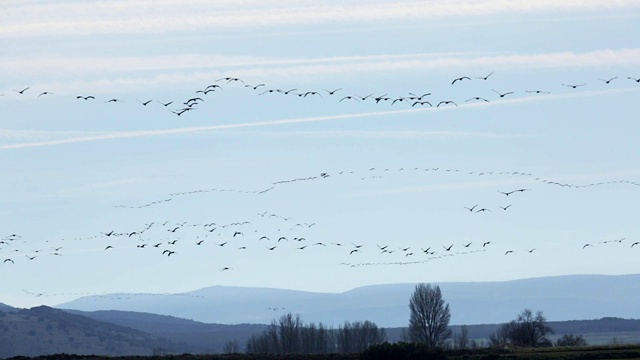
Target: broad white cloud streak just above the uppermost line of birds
x=119, y=74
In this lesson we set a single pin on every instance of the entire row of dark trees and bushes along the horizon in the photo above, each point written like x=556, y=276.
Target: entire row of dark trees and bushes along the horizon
x=428, y=326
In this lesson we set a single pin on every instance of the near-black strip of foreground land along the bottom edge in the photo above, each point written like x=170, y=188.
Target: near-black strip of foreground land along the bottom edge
x=392, y=352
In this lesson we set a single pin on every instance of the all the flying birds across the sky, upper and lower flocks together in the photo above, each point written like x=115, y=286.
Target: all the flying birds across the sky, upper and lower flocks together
x=169, y=238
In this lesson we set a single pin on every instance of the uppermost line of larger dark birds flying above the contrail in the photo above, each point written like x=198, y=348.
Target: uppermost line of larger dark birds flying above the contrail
x=412, y=99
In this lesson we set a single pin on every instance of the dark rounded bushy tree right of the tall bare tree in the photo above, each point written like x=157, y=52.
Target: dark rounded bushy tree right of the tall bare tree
x=525, y=330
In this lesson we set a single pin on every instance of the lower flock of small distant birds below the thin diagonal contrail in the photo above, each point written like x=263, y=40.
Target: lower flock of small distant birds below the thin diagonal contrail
x=166, y=238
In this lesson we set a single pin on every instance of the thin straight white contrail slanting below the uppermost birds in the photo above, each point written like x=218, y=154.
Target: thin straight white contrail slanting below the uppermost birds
x=191, y=130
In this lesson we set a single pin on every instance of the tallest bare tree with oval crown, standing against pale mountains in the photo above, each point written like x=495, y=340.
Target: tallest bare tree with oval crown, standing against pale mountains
x=429, y=318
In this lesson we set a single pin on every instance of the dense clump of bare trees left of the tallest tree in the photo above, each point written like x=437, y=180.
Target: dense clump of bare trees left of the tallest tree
x=290, y=335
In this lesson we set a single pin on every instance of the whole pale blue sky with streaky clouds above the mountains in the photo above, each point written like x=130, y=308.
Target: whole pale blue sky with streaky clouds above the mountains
x=288, y=185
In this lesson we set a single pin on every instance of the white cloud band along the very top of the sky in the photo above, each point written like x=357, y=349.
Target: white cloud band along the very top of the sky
x=125, y=17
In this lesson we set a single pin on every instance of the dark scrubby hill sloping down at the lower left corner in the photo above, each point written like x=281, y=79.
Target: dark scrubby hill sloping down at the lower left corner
x=44, y=330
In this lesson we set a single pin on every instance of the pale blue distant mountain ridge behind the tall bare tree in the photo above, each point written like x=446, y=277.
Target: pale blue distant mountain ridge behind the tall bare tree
x=573, y=297
